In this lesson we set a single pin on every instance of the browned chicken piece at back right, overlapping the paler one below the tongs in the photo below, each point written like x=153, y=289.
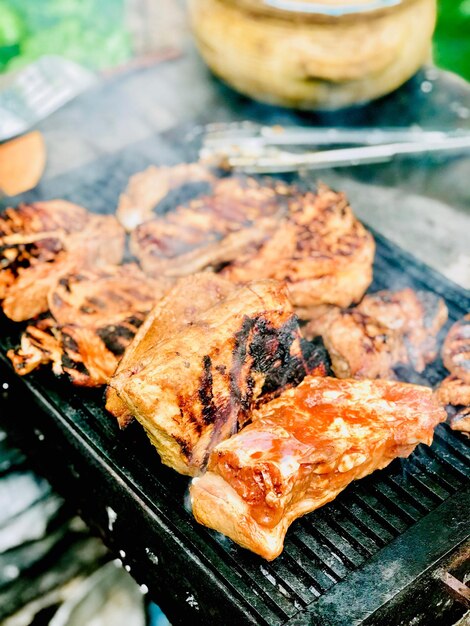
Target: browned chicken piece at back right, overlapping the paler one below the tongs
x=320, y=249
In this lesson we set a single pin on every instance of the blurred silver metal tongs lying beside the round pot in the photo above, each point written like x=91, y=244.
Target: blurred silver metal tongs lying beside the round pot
x=256, y=149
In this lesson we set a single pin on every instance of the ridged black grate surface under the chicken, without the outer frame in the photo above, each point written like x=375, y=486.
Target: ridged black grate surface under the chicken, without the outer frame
x=323, y=548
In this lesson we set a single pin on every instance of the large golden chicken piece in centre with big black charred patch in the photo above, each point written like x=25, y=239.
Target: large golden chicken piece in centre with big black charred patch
x=193, y=388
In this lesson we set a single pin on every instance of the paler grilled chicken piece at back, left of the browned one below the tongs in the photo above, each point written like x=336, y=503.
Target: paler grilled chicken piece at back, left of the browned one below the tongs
x=212, y=230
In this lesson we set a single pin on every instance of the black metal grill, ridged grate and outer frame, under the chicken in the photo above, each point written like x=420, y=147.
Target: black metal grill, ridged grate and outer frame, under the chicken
x=334, y=553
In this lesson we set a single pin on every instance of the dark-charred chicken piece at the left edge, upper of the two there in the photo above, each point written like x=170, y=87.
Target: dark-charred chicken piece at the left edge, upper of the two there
x=40, y=242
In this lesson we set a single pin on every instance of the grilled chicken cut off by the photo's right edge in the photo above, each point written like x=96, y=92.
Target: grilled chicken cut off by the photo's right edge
x=455, y=389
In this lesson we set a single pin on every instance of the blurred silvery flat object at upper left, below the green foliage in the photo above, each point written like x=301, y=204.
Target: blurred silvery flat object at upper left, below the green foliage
x=33, y=93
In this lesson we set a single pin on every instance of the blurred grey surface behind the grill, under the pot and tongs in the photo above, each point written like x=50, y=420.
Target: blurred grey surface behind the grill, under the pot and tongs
x=424, y=207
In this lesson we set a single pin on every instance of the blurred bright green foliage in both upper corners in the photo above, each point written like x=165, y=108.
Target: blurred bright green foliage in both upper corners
x=94, y=33
